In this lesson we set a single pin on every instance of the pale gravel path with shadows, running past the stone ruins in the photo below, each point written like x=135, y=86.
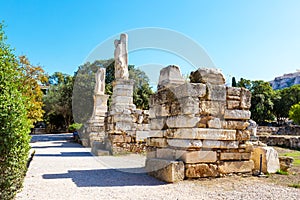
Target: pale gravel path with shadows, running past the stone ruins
x=61, y=169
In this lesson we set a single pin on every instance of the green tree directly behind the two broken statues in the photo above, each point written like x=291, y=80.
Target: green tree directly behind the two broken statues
x=85, y=83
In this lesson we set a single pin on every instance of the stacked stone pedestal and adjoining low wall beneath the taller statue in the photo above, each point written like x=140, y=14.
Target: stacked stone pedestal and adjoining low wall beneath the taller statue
x=126, y=126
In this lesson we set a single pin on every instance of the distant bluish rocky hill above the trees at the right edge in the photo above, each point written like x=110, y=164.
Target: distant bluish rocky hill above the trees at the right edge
x=287, y=80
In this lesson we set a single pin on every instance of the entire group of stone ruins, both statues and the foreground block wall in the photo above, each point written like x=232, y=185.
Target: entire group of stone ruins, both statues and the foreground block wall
x=193, y=129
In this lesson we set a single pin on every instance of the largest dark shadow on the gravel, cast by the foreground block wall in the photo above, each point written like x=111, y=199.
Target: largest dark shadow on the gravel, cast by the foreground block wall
x=107, y=178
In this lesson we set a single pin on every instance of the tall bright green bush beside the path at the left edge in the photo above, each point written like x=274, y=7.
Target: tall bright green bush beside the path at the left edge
x=15, y=126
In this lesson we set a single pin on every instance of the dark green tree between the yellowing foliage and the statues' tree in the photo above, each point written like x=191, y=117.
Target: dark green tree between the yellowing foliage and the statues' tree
x=58, y=101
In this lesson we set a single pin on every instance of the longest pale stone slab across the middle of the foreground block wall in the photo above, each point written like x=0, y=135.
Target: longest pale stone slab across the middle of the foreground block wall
x=201, y=133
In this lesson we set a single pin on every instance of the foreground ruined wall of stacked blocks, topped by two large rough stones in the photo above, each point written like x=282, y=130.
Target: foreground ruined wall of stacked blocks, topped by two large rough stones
x=202, y=124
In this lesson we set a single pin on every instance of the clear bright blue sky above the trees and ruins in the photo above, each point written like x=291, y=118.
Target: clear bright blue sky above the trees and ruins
x=250, y=39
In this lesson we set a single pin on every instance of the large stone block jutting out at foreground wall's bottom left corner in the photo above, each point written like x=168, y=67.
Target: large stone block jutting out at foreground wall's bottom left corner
x=165, y=170
